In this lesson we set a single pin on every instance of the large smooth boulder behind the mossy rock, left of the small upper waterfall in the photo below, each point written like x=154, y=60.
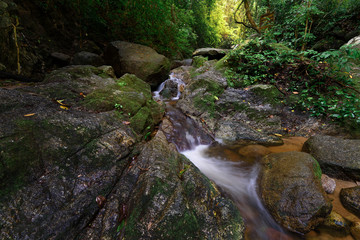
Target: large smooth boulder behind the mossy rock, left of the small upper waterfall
x=137, y=59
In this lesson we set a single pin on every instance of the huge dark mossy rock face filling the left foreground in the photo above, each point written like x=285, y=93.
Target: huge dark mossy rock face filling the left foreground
x=72, y=166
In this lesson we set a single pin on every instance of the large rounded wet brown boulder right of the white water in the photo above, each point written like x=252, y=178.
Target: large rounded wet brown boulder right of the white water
x=291, y=190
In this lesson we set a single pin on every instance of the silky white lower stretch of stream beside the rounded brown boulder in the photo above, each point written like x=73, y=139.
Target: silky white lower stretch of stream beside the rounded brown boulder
x=238, y=180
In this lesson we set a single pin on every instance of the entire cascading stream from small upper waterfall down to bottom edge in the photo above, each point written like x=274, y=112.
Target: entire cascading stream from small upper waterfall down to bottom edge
x=236, y=179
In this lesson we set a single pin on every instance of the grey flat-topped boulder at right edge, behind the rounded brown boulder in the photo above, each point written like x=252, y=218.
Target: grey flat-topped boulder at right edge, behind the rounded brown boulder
x=337, y=157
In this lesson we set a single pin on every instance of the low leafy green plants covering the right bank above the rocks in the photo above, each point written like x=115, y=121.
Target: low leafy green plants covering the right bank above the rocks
x=321, y=81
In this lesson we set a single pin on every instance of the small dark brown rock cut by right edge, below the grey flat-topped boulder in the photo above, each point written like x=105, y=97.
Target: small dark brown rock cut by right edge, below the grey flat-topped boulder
x=350, y=198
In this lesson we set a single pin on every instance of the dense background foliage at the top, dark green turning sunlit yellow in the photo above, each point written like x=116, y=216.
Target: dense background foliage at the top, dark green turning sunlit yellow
x=172, y=27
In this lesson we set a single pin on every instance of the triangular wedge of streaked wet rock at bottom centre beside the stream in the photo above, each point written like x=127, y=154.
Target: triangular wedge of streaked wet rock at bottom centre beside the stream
x=161, y=196
